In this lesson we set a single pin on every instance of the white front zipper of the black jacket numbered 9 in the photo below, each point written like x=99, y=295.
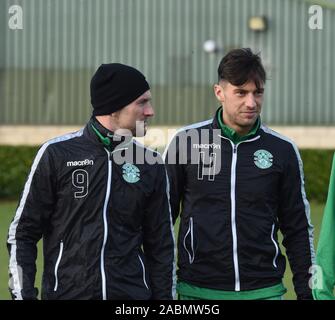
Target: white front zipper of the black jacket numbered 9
x=104, y=216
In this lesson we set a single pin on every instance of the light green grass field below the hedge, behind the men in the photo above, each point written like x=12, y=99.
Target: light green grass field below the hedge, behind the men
x=6, y=213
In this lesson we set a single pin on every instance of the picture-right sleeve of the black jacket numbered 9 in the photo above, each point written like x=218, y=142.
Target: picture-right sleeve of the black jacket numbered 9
x=158, y=242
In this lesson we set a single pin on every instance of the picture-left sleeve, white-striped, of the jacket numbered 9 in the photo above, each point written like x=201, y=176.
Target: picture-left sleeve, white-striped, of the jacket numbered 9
x=26, y=228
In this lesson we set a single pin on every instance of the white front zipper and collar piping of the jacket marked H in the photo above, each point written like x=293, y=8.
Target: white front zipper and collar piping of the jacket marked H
x=233, y=208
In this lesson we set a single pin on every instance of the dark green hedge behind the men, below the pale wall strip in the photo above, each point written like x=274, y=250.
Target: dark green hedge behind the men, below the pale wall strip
x=15, y=164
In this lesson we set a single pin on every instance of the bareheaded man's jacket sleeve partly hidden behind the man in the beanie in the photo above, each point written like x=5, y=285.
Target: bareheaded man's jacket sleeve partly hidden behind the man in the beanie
x=175, y=171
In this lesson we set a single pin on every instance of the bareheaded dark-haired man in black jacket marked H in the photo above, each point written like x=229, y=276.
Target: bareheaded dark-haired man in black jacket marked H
x=234, y=188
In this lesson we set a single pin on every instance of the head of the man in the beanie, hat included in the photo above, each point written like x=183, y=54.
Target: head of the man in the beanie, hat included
x=121, y=98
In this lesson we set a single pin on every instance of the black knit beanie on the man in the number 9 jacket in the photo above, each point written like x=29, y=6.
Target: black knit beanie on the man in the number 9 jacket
x=114, y=86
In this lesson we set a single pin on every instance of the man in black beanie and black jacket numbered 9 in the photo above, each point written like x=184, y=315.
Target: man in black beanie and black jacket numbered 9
x=101, y=209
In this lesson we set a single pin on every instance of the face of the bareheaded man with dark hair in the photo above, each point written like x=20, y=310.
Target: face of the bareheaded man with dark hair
x=241, y=104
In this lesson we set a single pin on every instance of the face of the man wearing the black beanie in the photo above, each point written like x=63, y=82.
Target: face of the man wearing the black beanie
x=134, y=116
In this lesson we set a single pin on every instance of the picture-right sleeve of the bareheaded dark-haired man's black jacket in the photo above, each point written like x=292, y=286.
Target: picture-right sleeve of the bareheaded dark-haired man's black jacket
x=295, y=224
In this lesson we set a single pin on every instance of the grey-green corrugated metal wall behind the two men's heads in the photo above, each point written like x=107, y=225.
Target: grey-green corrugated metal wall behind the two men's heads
x=46, y=66
